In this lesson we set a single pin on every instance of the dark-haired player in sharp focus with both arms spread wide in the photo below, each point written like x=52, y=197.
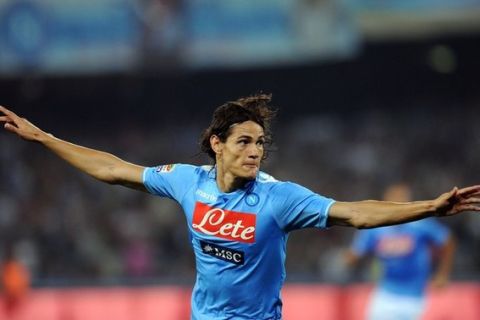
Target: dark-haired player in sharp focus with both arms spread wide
x=239, y=218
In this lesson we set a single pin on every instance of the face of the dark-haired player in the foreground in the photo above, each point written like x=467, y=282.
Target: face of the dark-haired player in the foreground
x=243, y=150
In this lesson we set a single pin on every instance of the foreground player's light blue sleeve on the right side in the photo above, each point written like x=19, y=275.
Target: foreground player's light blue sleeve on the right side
x=299, y=207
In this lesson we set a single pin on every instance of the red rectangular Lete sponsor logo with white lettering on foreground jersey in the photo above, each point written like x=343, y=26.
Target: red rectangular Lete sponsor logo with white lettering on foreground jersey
x=225, y=224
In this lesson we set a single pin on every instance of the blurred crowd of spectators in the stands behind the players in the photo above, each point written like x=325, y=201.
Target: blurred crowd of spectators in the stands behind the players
x=69, y=229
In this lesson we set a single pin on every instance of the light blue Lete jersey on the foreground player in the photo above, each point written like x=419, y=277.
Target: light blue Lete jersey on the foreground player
x=239, y=238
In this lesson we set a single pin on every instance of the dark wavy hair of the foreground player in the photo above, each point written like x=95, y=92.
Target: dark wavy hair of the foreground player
x=255, y=108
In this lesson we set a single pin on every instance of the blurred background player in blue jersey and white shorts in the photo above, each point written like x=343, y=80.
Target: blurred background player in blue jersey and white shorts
x=406, y=253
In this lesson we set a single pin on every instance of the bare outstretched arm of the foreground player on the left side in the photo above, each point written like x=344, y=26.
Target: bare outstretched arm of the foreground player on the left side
x=100, y=165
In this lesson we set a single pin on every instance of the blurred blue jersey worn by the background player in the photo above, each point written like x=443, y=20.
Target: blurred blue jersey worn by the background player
x=405, y=253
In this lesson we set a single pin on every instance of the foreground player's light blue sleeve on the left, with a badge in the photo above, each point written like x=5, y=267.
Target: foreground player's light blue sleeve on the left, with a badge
x=171, y=181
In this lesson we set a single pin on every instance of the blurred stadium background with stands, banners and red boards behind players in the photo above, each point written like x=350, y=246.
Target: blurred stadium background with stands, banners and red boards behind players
x=369, y=93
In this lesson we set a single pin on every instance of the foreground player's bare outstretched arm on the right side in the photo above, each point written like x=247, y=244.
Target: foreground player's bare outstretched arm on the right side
x=371, y=214
